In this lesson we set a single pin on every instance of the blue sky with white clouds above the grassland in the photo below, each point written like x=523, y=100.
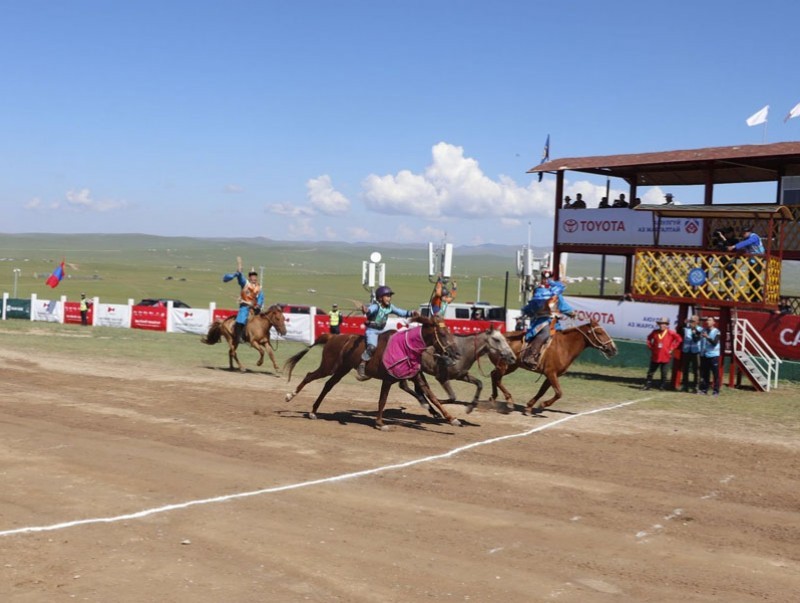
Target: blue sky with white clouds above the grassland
x=369, y=121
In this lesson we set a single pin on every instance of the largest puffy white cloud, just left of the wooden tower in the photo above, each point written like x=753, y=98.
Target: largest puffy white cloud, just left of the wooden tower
x=454, y=186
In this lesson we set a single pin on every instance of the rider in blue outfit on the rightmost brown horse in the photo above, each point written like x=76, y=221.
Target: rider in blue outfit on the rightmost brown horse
x=546, y=304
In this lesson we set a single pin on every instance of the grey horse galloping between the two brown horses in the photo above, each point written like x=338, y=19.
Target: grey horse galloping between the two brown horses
x=470, y=348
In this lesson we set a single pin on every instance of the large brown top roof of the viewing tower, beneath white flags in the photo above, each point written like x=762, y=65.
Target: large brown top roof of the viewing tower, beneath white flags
x=717, y=165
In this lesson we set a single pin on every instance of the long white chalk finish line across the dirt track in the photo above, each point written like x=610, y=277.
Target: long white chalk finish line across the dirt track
x=316, y=482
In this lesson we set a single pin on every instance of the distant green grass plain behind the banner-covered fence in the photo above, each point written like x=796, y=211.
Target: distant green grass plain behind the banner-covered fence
x=121, y=267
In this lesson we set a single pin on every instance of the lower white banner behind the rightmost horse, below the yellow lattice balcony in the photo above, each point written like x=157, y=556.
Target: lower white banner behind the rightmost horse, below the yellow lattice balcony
x=621, y=320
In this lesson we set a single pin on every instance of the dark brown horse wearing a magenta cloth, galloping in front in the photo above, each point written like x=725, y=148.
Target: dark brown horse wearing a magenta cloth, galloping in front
x=342, y=353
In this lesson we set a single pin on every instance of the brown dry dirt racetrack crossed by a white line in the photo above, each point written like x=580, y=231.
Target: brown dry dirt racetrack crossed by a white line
x=130, y=482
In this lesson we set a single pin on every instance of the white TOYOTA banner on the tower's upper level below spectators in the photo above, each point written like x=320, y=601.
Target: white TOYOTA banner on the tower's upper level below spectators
x=626, y=227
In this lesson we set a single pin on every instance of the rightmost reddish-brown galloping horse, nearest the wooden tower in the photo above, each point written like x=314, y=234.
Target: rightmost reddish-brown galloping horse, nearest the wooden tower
x=559, y=354
